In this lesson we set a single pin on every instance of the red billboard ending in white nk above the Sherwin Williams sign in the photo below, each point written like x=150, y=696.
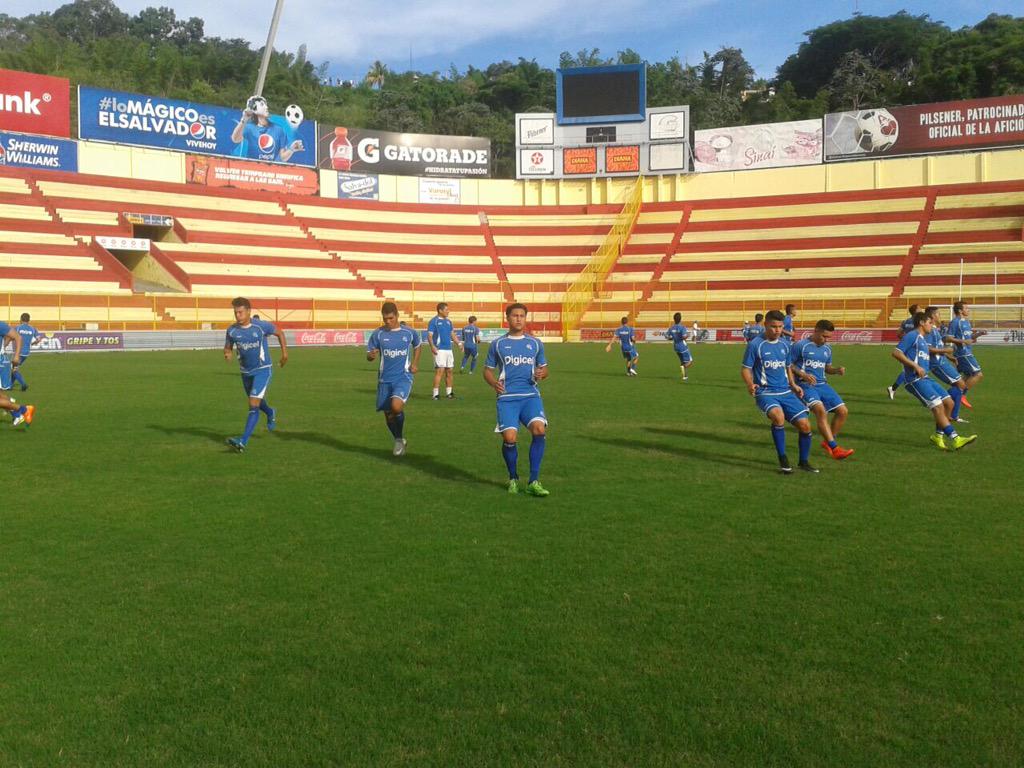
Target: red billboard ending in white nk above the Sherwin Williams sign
x=35, y=104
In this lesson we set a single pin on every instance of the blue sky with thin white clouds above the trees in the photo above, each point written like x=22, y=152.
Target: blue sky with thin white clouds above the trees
x=433, y=36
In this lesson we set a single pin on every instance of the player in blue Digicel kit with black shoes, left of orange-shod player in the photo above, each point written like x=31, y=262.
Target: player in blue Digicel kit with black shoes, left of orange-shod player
x=770, y=380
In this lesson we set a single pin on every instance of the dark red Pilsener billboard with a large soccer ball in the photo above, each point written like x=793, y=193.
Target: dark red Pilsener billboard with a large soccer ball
x=947, y=126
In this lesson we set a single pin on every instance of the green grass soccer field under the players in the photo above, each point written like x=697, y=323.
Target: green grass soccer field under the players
x=675, y=603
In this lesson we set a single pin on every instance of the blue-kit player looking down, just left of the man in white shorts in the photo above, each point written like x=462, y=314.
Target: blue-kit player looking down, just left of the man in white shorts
x=392, y=344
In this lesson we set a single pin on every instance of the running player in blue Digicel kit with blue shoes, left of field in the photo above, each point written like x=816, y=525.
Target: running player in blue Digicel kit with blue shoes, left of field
x=251, y=339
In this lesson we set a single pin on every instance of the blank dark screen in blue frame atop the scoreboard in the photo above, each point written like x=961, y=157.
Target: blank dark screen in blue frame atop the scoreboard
x=603, y=95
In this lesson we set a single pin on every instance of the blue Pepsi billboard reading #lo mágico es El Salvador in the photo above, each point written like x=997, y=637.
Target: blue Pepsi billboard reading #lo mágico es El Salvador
x=251, y=134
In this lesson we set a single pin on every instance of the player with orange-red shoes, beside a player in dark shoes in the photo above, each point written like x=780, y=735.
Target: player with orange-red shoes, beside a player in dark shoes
x=812, y=361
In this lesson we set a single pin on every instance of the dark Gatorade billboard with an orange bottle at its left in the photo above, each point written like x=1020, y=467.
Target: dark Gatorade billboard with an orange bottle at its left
x=364, y=151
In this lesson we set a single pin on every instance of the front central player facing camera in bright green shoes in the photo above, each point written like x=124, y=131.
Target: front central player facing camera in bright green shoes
x=516, y=363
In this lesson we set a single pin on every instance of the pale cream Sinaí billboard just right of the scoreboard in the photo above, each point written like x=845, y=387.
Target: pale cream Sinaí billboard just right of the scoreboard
x=749, y=147
